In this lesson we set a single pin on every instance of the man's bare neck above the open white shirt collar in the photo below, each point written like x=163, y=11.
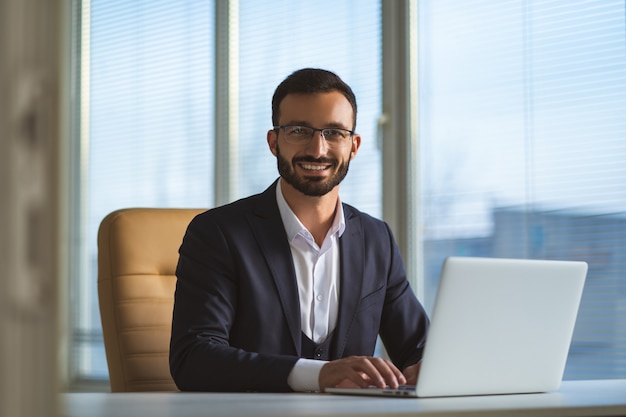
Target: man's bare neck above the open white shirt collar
x=315, y=213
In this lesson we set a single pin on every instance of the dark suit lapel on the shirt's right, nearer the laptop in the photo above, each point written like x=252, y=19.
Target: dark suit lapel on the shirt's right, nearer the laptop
x=351, y=274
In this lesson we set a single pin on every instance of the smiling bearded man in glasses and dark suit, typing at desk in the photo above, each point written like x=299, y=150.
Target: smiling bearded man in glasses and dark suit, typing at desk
x=288, y=290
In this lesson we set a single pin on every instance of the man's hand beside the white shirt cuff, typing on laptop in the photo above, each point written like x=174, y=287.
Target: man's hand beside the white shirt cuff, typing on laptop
x=360, y=372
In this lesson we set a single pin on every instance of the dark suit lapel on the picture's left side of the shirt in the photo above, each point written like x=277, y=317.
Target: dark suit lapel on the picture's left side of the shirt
x=270, y=234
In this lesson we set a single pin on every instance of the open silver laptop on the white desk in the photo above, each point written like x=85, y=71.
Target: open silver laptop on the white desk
x=499, y=326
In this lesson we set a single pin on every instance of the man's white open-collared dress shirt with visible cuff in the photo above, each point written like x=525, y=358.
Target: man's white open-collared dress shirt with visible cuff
x=317, y=273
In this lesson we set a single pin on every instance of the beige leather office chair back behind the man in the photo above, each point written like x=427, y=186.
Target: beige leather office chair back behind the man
x=137, y=257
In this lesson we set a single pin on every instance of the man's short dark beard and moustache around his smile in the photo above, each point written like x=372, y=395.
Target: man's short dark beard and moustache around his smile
x=311, y=186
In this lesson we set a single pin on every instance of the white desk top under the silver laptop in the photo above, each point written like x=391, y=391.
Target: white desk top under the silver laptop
x=575, y=398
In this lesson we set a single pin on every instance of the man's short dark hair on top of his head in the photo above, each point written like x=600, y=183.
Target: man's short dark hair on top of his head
x=311, y=81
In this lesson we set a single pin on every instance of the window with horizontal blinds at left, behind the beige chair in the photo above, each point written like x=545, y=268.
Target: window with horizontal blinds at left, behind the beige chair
x=150, y=140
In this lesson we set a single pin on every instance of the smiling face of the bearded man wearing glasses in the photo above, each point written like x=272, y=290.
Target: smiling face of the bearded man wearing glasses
x=317, y=167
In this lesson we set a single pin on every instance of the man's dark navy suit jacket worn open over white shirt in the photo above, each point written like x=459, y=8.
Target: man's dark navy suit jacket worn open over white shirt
x=236, y=321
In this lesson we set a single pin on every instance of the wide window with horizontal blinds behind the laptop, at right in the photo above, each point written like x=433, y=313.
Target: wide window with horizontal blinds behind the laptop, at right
x=523, y=138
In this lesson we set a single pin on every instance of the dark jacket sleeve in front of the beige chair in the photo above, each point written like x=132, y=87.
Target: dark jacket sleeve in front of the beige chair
x=206, y=302
